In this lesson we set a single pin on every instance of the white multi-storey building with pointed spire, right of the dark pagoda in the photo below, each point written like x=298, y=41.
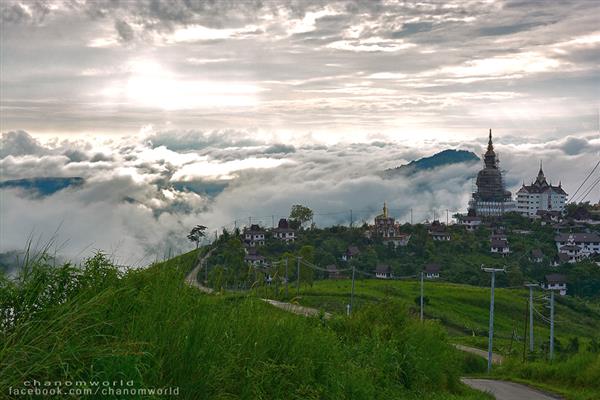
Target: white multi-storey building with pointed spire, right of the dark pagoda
x=540, y=196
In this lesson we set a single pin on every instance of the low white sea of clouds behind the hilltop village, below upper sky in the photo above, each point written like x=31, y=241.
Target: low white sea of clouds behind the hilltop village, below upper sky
x=143, y=193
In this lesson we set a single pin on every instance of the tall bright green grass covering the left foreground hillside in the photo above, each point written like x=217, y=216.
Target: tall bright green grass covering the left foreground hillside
x=147, y=326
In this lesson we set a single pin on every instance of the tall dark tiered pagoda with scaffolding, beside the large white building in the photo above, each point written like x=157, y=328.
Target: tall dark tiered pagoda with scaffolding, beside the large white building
x=491, y=198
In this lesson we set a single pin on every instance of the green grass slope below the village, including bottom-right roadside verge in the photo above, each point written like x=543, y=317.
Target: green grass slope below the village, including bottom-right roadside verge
x=464, y=309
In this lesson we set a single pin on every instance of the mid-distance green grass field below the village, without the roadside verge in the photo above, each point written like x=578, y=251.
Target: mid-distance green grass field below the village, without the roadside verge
x=464, y=309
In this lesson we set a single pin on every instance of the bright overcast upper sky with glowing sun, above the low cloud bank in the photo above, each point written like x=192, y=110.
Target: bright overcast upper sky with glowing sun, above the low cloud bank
x=325, y=69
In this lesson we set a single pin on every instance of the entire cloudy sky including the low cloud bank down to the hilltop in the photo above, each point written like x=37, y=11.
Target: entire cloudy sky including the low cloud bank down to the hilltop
x=183, y=112
